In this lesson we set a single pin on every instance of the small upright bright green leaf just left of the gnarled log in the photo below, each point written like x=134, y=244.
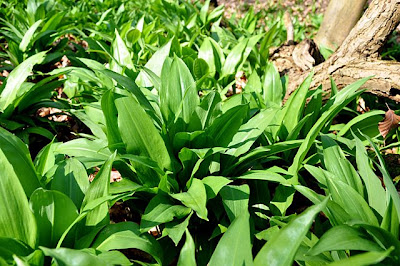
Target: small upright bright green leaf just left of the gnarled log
x=272, y=86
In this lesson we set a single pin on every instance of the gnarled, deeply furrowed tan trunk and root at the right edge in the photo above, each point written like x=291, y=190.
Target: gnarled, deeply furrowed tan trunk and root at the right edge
x=358, y=56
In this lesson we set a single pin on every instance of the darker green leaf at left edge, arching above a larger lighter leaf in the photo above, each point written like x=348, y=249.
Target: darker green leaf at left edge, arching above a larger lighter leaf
x=17, y=156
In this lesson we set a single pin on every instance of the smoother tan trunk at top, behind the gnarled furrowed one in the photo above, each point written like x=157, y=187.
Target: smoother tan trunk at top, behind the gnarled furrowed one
x=350, y=12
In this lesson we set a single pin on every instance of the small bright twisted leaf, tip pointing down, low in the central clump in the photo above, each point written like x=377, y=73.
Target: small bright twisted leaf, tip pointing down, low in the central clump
x=195, y=198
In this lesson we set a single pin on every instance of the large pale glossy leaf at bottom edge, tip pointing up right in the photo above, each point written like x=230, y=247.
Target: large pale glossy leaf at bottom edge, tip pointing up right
x=282, y=248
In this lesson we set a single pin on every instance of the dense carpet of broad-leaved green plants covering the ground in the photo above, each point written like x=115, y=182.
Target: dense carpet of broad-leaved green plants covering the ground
x=158, y=133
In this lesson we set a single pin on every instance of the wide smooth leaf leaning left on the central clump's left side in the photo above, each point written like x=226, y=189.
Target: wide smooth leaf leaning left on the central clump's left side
x=139, y=133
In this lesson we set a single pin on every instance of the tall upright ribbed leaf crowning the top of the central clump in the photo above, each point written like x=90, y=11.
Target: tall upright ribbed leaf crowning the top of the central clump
x=178, y=94
